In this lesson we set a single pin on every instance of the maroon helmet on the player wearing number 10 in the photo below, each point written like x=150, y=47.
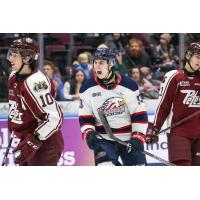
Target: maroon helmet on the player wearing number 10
x=27, y=47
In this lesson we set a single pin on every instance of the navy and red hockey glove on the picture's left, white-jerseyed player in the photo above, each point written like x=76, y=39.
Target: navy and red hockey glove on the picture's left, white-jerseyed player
x=90, y=137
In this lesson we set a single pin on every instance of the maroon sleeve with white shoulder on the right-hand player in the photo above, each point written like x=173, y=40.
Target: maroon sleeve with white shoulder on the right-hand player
x=166, y=96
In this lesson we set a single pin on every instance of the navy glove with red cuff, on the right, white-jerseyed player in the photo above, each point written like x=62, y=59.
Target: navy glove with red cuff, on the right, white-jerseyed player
x=136, y=143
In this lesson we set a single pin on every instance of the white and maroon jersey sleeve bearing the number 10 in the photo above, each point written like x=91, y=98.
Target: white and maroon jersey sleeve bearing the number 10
x=37, y=95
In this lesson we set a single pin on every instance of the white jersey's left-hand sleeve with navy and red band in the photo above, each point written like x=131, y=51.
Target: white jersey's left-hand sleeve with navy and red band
x=86, y=116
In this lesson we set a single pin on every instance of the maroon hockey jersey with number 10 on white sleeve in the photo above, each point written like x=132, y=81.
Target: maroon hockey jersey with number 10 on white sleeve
x=32, y=107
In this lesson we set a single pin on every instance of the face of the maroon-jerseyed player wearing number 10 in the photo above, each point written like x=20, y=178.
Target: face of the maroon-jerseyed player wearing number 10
x=15, y=60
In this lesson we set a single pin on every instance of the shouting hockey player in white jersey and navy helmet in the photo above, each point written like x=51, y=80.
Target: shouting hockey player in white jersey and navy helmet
x=118, y=97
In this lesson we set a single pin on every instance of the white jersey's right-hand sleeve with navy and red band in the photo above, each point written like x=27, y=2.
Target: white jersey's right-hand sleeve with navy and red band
x=138, y=112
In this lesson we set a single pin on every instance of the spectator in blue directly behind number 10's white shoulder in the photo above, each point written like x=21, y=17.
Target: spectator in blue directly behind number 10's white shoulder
x=53, y=73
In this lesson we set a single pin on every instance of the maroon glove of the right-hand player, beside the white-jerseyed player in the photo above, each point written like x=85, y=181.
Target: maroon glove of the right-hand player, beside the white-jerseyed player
x=152, y=134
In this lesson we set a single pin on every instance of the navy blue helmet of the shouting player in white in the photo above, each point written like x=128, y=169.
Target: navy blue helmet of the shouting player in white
x=105, y=54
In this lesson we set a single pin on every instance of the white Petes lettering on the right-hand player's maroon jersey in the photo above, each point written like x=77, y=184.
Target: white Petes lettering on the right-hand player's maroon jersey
x=191, y=99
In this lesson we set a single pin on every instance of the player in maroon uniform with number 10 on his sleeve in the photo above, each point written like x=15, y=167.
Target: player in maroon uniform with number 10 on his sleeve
x=34, y=115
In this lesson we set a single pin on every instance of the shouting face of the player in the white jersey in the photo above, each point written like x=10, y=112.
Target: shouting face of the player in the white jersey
x=101, y=68
